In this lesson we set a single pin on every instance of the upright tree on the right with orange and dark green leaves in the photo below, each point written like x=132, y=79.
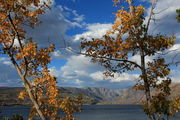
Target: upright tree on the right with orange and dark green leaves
x=129, y=37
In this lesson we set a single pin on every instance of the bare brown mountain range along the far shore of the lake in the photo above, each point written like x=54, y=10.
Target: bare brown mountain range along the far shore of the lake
x=91, y=95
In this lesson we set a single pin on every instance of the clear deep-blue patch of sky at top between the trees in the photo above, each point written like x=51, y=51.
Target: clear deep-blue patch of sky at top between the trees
x=94, y=11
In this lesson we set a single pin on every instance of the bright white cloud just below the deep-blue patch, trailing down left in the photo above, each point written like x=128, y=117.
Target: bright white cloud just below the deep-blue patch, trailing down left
x=95, y=30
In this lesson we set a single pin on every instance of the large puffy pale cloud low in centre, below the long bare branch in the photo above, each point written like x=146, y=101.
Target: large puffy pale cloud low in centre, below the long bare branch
x=76, y=71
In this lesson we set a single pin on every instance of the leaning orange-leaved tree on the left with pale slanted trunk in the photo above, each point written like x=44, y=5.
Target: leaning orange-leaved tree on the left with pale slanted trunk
x=30, y=60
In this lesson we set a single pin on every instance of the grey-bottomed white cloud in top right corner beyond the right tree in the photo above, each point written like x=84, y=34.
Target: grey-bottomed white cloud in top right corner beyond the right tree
x=166, y=18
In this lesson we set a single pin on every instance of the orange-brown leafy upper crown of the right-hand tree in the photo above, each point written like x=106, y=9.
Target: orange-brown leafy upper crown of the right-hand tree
x=127, y=38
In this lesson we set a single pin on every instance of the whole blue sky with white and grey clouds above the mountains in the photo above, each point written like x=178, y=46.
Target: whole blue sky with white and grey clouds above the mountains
x=70, y=20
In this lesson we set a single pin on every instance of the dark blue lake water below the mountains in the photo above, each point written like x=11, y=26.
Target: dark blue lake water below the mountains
x=91, y=112
